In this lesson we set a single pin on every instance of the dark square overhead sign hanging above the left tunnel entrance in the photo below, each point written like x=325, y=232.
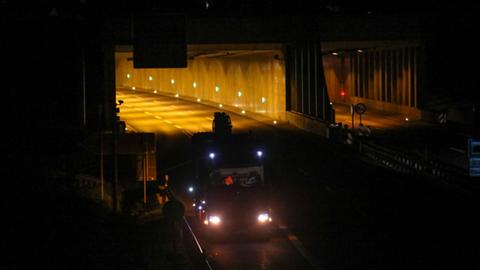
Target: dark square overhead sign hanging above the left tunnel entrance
x=159, y=41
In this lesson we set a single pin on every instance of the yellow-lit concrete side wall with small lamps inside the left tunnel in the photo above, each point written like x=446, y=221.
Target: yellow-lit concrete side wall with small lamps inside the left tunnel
x=253, y=82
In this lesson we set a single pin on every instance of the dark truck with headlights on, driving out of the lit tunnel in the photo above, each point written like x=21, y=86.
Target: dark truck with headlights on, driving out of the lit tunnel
x=232, y=194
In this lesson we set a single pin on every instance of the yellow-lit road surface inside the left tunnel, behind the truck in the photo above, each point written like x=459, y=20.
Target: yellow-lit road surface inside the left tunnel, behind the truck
x=146, y=112
